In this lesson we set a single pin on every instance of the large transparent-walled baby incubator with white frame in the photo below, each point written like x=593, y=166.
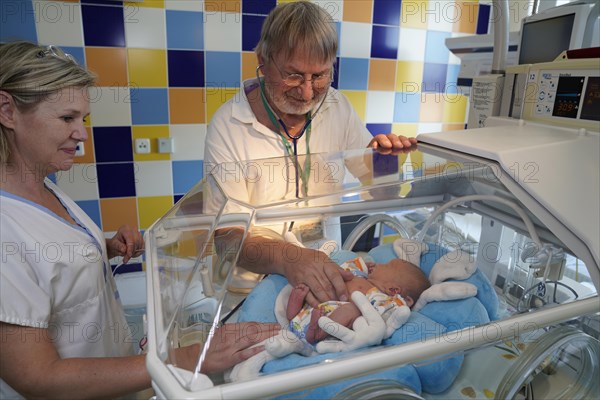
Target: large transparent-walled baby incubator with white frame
x=519, y=199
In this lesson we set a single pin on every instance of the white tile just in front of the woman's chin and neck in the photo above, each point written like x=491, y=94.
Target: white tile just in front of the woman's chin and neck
x=80, y=182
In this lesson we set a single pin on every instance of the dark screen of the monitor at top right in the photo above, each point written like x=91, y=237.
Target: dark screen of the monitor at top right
x=543, y=41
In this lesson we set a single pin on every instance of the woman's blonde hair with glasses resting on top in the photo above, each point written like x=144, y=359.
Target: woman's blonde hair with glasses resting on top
x=31, y=73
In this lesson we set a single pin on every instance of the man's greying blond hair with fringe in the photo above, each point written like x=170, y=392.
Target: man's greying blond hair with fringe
x=299, y=26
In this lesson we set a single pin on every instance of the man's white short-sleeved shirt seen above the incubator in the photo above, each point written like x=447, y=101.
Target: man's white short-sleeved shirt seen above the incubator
x=239, y=149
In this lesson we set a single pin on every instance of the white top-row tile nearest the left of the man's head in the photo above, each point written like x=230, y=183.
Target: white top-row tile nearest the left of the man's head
x=223, y=31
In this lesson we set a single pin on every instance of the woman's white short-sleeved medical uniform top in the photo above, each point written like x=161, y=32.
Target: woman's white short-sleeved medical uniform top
x=56, y=276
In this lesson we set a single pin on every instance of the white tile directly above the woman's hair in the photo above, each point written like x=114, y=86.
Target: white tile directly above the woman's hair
x=58, y=23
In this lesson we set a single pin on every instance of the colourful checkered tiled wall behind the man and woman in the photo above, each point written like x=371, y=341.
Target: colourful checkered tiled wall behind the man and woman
x=165, y=66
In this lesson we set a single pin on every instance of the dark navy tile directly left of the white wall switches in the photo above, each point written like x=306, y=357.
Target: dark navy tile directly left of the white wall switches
x=113, y=144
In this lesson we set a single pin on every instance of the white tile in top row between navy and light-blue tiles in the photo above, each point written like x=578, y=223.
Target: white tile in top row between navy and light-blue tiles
x=146, y=28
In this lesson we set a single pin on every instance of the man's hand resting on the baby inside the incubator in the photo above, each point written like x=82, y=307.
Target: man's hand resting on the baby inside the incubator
x=322, y=275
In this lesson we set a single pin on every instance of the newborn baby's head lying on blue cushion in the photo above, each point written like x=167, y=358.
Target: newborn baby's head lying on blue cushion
x=399, y=277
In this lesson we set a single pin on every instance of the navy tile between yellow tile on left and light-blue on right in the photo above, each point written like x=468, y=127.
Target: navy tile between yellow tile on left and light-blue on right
x=186, y=68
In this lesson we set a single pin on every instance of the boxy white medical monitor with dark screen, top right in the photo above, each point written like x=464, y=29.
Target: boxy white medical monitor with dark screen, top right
x=547, y=34
